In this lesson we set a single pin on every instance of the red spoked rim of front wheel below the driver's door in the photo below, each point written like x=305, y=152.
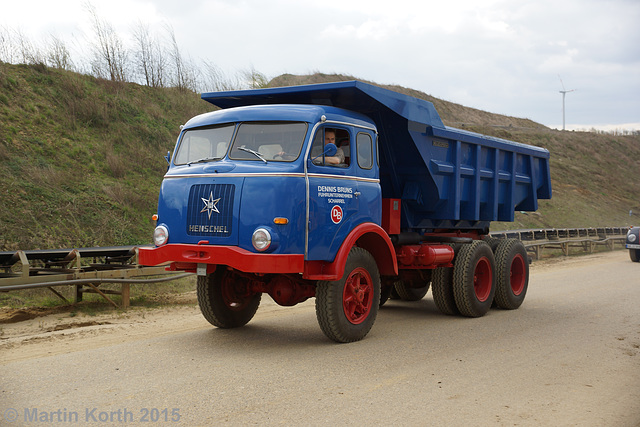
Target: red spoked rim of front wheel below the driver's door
x=357, y=297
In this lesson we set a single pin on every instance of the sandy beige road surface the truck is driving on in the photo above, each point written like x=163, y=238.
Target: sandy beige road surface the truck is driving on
x=569, y=356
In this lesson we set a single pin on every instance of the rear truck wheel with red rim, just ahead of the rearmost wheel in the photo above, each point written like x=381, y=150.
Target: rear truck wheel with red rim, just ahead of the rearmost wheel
x=474, y=279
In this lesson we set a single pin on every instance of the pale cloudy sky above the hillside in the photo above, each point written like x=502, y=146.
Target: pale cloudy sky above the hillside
x=509, y=57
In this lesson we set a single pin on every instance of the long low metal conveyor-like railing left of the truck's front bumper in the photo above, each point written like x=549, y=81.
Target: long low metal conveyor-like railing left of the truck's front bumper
x=84, y=268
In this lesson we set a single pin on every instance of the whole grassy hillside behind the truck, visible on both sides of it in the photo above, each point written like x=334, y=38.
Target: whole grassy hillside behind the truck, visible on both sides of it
x=81, y=159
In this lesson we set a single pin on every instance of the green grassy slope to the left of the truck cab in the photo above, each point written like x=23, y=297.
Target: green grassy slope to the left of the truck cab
x=81, y=159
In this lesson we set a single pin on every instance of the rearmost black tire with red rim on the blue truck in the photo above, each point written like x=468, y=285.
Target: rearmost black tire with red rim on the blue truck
x=512, y=274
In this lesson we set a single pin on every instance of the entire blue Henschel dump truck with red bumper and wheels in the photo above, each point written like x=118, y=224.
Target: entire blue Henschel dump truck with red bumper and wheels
x=346, y=192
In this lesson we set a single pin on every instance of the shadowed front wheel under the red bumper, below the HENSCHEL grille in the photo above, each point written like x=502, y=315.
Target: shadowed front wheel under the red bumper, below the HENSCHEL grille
x=224, y=300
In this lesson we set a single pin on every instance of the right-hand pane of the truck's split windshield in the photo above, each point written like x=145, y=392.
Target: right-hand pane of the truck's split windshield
x=273, y=141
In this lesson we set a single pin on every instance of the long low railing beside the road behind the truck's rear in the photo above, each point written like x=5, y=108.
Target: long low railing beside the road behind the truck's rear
x=586, y=239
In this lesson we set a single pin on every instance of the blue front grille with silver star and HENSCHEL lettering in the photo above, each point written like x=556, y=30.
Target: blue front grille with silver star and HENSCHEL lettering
x=210, y=211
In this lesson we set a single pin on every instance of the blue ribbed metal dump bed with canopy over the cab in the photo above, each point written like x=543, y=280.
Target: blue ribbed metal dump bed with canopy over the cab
x=446, y=177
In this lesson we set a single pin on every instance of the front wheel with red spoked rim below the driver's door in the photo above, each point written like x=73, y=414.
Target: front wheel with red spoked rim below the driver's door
x=347, y=308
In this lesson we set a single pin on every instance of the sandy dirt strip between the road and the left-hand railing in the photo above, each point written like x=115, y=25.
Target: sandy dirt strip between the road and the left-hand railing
x=38, y=332
